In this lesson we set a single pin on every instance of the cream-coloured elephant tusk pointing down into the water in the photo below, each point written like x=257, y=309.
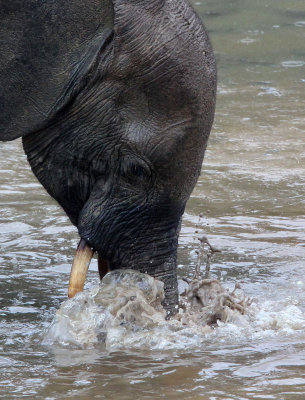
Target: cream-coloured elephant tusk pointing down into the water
x=79, y=268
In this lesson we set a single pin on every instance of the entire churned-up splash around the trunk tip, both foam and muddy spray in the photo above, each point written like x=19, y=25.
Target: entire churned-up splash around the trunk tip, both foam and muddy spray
x=125, y=312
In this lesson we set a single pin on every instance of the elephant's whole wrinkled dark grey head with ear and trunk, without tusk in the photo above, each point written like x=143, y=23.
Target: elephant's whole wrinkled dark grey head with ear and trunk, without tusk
x=115, y=102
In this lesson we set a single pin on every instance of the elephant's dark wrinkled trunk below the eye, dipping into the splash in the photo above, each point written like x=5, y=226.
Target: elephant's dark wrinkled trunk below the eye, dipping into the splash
x=133, y=234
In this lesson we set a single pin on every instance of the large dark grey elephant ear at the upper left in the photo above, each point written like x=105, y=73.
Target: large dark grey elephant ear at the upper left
x=46, y=48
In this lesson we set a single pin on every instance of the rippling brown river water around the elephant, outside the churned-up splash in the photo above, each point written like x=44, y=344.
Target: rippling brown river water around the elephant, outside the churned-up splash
x=251, y=193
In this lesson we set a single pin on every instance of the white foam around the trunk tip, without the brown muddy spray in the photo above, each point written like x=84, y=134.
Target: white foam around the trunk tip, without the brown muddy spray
x=122, y=315
